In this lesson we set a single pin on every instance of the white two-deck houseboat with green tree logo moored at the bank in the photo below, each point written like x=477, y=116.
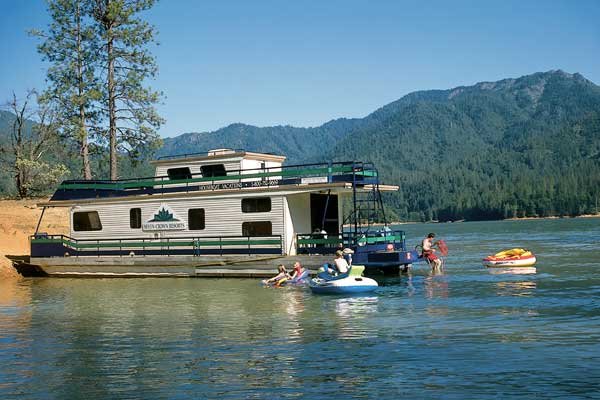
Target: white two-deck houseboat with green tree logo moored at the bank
x=220, y=213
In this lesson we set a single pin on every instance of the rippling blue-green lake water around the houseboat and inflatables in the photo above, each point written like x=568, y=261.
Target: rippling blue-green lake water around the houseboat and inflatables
x=463, y=334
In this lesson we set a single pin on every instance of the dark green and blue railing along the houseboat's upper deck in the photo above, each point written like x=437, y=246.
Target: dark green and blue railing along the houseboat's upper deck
x=347, y=171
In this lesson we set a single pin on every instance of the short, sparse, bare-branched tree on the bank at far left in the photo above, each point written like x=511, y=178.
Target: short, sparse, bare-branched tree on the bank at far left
x=33, y=134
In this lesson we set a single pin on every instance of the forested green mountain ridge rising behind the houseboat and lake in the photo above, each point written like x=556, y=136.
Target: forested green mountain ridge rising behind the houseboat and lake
x=517, y=147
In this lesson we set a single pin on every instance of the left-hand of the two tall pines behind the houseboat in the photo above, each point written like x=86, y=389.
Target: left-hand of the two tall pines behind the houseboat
x=71, y=46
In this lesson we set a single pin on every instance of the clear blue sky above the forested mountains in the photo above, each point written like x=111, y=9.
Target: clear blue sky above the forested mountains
x=303, y=63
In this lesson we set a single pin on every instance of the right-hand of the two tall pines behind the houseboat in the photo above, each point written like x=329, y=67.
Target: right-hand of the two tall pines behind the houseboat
x=129, y=105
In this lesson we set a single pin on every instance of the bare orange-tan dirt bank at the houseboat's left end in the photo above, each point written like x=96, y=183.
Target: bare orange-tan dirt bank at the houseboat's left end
x=18, y=219
